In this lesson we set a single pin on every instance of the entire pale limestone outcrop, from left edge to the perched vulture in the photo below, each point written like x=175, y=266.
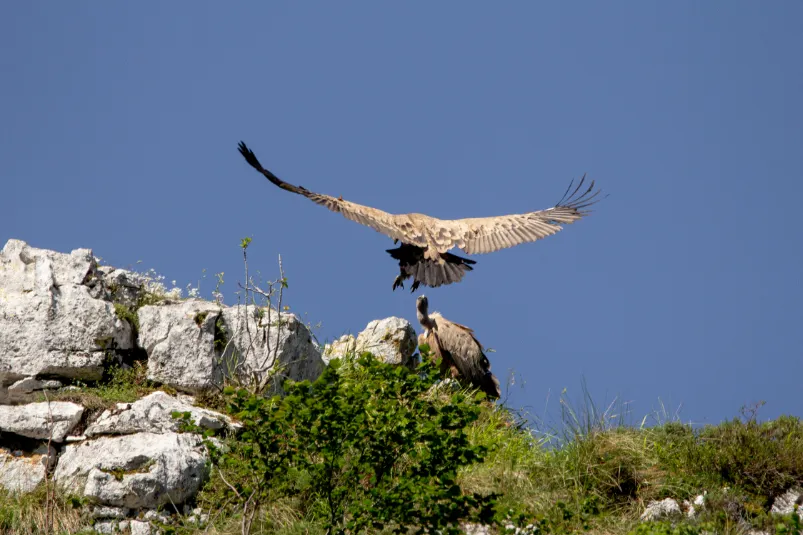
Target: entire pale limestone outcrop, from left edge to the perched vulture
x=64, y=319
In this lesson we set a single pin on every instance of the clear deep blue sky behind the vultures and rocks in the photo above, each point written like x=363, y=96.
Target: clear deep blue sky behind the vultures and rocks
x=120, y=123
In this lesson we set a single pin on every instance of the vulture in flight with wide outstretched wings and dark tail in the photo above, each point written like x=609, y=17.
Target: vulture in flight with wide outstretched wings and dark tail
x=425, y=240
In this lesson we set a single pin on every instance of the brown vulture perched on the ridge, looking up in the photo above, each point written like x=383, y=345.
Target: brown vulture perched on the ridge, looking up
x=459, y=351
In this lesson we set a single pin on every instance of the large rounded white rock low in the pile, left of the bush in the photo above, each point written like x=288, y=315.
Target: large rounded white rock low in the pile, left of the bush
x=144, y=470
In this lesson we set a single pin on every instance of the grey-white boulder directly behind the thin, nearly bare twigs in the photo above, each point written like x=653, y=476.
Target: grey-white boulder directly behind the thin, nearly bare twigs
x=267, y=347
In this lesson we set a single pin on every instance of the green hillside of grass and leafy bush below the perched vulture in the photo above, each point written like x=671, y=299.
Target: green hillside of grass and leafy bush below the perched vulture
x=375, y=448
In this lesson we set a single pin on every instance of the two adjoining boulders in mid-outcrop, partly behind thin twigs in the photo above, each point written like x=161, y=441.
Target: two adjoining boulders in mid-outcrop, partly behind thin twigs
x=194, y=345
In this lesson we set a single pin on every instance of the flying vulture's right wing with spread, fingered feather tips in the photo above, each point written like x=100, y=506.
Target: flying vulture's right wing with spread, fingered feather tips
x=488, y=234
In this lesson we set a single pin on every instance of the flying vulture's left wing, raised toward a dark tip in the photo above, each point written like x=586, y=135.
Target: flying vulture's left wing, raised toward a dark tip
x=394, y=226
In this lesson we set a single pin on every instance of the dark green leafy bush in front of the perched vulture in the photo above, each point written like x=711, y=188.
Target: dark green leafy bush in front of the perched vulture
x=367, y=446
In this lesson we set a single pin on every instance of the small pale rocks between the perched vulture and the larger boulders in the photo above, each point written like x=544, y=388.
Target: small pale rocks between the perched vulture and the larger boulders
x=391, y=339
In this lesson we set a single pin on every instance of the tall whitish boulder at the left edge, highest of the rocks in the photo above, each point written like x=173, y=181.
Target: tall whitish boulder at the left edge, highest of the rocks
x=50, y=324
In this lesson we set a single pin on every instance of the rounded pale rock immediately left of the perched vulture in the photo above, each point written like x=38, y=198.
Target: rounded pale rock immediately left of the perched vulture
x=391, y=339
